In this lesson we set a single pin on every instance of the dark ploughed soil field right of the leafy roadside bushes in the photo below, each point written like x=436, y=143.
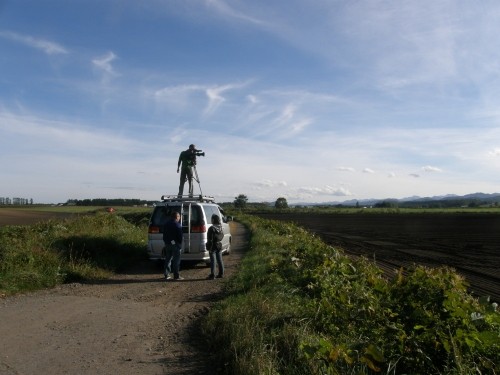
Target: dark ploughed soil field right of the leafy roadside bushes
x=469, y=243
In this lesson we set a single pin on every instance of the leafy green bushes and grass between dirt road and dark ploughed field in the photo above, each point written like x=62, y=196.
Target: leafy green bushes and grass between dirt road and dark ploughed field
x=299, y=306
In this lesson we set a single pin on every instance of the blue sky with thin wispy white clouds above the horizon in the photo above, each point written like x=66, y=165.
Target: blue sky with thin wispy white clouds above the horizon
x=314, y=101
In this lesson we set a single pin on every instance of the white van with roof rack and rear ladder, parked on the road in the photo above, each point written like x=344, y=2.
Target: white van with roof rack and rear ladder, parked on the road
x=196, y=214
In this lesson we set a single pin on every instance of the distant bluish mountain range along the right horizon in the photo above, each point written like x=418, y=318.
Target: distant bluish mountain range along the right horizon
x=415, y=201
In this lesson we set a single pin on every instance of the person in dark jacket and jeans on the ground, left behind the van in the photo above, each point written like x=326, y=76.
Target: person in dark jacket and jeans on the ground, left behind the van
x=172, y=236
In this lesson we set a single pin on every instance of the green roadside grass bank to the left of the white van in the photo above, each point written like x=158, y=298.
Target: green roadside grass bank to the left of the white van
x=82, y=248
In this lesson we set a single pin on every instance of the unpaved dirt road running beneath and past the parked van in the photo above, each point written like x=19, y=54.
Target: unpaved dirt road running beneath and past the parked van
x=134, y=323
